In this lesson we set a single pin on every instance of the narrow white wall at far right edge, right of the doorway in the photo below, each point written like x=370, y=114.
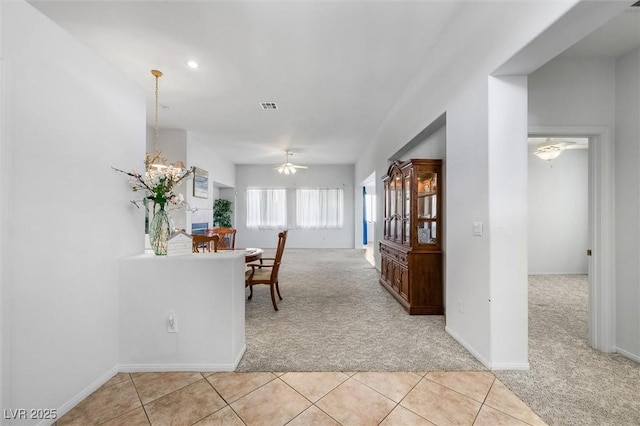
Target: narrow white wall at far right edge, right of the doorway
x=627, y=158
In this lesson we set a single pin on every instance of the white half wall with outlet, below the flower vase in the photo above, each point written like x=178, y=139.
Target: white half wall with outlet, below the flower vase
x=182, y=313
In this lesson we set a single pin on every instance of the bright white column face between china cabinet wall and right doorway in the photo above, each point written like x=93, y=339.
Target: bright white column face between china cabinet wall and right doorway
x=508, y=222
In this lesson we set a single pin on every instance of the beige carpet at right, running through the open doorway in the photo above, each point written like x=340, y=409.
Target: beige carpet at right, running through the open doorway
x=570, y=383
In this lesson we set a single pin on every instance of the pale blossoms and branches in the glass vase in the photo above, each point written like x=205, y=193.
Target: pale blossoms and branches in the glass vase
x=158, y=184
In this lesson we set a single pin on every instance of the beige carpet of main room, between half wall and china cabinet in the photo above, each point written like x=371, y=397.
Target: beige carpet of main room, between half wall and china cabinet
x=335, y=316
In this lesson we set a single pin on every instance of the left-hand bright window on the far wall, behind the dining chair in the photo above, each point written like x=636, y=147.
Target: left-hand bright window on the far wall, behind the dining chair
x=266, y=208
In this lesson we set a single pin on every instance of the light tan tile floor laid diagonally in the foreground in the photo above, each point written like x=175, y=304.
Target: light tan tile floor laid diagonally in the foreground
x=322, y=398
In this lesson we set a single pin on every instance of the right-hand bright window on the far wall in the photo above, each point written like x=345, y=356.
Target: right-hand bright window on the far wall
x=319, y=208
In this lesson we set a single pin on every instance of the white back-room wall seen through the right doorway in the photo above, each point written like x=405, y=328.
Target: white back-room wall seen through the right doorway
x=557, y=225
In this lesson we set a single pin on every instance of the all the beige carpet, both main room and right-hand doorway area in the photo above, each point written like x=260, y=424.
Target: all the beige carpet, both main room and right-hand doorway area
x=335, y=316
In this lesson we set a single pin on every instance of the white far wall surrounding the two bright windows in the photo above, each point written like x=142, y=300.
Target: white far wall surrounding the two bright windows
x=316, y=176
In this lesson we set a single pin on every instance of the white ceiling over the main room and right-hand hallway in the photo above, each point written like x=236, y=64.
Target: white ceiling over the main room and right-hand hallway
x=334, y=69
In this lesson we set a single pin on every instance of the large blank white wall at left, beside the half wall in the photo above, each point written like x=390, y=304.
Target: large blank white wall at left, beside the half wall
x=69, y=119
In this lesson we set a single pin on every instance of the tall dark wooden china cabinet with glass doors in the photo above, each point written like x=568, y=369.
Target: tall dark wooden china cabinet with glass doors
x=411, y=251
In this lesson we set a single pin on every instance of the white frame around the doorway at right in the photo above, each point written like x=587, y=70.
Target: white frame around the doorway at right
x=601, y=236
